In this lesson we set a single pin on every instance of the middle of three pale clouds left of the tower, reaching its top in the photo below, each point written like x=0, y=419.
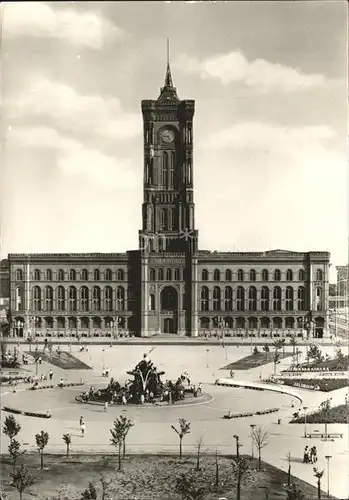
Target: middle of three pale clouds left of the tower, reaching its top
x=72, y=111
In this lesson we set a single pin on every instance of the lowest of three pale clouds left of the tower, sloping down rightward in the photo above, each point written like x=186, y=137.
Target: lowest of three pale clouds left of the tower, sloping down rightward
x=73, y=158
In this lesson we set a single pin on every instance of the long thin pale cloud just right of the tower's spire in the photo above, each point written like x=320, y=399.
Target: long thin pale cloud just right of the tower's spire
x=260, y=74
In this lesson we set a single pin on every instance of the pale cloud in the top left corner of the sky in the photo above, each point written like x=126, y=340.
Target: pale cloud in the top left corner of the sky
x=41, y=20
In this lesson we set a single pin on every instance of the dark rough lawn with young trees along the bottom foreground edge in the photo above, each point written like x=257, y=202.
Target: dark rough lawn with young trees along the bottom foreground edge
x=146, y=477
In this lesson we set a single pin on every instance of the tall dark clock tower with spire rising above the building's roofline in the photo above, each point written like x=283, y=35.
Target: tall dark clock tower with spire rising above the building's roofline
x=168, y=223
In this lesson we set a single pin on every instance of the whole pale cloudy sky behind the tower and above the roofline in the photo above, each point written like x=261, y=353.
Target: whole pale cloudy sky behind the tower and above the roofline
x=270, y=141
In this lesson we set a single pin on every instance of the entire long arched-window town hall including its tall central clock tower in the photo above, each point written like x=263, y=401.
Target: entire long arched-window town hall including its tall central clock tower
x=168, y=285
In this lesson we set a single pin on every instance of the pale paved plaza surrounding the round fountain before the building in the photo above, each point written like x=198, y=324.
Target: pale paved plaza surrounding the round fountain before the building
x=152, y=431
